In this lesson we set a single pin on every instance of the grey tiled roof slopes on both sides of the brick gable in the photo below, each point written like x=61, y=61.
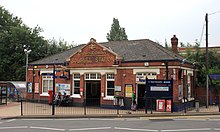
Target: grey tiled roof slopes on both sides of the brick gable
x=128, y=50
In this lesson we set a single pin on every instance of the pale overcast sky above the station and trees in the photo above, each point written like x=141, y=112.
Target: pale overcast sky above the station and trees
x=76, y=21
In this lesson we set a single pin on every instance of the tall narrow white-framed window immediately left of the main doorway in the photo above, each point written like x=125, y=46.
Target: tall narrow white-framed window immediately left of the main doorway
x=76, y=84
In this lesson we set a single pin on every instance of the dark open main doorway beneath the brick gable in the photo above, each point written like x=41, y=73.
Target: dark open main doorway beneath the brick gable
x=93, y=93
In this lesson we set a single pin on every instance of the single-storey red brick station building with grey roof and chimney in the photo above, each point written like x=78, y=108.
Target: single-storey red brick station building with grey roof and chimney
x=95, y=70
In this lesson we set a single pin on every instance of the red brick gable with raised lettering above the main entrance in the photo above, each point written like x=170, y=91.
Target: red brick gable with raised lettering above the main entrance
x=92, y=55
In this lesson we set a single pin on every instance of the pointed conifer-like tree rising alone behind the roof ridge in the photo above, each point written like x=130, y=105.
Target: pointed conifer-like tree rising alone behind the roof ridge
x=116, y=32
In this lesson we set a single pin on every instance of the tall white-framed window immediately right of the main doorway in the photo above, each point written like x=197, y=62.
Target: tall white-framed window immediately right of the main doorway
x=110, y=82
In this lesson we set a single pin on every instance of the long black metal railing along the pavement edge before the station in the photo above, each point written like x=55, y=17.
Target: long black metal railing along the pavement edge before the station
x=92, y=106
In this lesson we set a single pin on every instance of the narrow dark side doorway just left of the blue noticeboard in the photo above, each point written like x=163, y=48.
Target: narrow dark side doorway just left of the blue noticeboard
x=140, y=96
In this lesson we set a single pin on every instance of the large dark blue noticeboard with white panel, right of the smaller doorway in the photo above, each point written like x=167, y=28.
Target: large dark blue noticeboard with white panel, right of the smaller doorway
x=159, y=88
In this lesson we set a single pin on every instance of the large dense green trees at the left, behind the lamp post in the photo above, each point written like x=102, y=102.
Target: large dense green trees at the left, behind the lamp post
x=14, y=34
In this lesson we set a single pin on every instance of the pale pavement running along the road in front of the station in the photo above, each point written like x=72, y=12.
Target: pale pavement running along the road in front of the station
x=13, y=110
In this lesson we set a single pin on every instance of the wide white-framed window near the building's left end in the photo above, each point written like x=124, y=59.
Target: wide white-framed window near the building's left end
x=47, y=83
